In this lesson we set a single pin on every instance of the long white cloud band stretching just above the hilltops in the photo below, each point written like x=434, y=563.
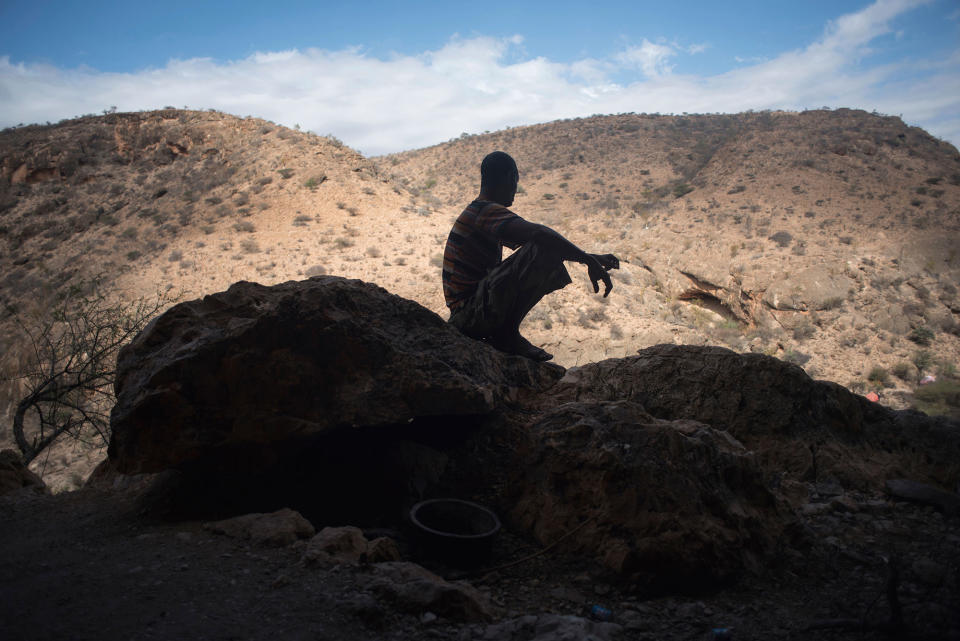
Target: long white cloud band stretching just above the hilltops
x=476, y=84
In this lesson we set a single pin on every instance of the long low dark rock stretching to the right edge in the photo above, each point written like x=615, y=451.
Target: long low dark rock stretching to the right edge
x=797, y=426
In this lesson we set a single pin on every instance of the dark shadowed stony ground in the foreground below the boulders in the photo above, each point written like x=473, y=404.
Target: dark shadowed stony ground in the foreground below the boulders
x=91, y=564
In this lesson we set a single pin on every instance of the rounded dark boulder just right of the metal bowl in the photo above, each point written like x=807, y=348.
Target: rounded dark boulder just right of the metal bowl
x=674, y=504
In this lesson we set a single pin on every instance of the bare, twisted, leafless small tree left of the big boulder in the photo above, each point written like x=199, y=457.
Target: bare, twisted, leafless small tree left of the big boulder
x=67, y=370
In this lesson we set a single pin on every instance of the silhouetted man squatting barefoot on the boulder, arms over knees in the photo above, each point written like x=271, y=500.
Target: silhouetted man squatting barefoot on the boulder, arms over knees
x=489, y=297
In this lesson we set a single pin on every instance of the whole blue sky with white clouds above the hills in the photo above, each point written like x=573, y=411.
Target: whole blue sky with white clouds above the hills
x=390, y=76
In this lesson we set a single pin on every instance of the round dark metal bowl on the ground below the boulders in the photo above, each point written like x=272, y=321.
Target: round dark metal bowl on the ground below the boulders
x=454, y=531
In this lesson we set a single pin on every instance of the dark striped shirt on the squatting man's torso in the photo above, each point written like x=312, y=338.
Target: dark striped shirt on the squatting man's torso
x=474, y=247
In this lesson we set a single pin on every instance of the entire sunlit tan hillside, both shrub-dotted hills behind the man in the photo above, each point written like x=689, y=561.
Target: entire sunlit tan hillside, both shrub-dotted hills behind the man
x=826, y=238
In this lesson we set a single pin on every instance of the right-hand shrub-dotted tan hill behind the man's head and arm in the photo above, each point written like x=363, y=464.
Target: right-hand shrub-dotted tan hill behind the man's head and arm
x=731, y=214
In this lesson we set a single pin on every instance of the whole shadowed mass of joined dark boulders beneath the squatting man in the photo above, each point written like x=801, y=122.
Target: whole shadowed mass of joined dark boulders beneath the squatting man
x=673, y=467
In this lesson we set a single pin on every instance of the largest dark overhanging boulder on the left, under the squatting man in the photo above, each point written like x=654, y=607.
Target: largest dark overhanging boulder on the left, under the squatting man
x=257, y=365
